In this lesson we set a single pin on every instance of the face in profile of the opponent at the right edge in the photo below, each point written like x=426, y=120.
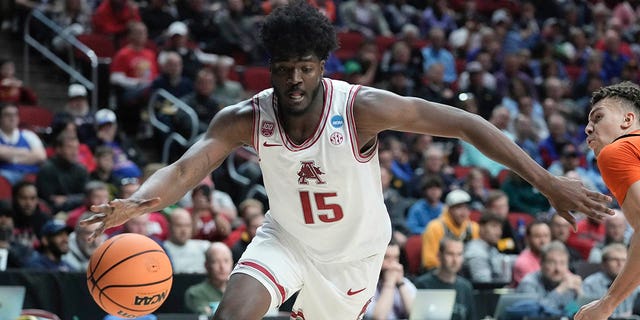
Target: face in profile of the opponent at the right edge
x=605, y=124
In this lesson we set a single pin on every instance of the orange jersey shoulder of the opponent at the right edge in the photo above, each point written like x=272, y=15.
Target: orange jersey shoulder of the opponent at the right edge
x=619, y=165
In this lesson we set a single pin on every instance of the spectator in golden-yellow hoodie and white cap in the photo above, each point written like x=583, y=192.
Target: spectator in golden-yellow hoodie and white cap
x=453, y=223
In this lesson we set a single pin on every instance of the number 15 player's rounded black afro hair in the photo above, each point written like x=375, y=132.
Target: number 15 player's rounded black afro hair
x=298, y=29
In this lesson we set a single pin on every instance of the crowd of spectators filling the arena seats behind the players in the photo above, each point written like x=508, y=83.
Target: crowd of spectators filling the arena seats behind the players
x=528, y=67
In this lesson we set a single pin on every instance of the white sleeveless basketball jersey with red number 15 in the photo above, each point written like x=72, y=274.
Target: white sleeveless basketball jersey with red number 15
x=324, y=192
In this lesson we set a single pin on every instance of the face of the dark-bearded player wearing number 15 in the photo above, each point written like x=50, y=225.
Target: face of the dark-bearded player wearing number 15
x=297, y=82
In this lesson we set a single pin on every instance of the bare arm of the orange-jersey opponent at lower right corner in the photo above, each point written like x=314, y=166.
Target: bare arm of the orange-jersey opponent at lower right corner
x=627, y=280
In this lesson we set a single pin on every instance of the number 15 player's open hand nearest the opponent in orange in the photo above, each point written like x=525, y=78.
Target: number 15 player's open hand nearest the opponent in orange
x=567, y=195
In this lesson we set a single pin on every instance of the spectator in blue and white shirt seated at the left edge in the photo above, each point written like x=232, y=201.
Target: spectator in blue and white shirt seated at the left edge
x=21, y=150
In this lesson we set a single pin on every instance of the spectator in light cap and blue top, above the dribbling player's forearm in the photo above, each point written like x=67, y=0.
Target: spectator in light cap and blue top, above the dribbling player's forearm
x=125, y=154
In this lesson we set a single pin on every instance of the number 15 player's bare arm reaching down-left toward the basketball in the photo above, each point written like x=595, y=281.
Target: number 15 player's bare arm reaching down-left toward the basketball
x=230, y=128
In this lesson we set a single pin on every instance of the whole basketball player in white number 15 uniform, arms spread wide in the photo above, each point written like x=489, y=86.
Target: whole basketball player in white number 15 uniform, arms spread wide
x=327, y=229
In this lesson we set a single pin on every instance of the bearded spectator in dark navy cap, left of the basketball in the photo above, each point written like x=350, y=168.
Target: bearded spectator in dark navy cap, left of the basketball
x=54, y=243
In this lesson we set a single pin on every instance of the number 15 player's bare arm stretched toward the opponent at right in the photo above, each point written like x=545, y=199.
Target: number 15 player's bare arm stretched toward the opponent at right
x=377, y=110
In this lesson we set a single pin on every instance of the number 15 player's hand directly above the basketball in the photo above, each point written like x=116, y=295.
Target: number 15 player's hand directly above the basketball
x=117, y=212
